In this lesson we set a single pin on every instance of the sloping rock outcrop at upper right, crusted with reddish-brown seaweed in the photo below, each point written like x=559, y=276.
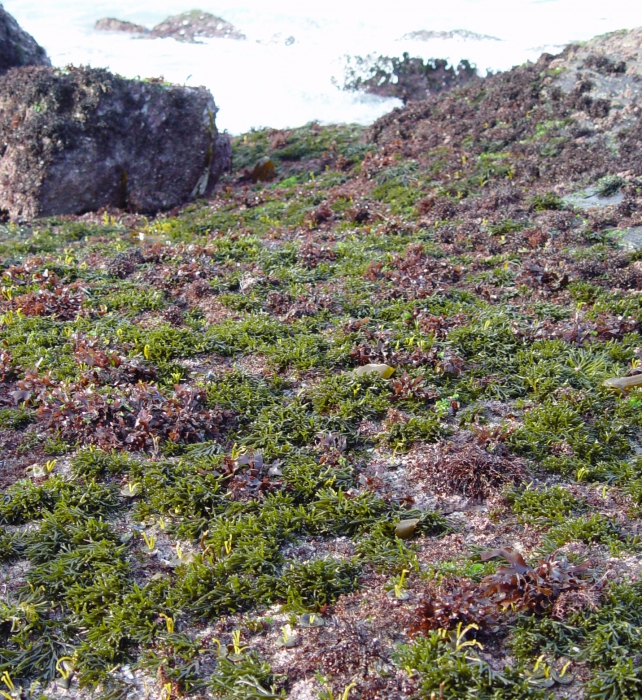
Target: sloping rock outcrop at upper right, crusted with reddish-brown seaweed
x=589, y=97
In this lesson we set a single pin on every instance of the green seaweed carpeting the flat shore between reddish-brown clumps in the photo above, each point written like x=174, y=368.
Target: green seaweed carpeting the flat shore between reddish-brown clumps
x=90, y=592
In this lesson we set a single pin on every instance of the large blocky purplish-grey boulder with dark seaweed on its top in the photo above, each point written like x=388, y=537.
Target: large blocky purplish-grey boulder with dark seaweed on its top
x=77, y=140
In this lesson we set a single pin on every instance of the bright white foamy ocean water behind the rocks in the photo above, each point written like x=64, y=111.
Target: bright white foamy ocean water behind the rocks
x=285, y=73
